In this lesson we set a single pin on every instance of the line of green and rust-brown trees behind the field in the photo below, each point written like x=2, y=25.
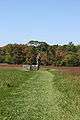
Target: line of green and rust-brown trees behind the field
x=57, y=55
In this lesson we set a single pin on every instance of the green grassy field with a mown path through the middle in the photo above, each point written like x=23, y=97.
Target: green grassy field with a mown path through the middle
x=39, y=95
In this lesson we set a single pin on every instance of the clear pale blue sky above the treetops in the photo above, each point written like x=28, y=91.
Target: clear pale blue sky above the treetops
x=51, y=21
